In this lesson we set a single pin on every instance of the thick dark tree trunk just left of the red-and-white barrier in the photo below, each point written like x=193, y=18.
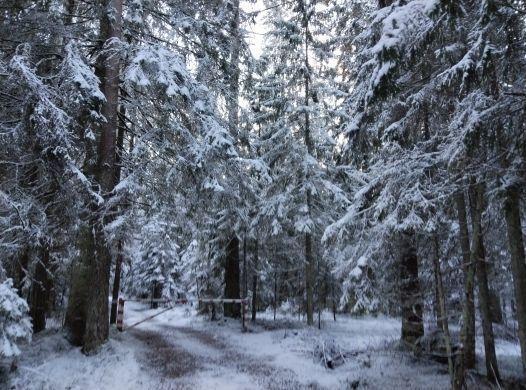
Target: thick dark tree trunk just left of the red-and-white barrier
x=87, y=319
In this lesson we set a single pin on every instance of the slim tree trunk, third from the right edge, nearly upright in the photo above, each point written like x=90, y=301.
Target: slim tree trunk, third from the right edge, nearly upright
x=467, y=335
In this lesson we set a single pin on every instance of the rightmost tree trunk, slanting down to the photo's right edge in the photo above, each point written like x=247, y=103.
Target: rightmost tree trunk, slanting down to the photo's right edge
x=518, y=262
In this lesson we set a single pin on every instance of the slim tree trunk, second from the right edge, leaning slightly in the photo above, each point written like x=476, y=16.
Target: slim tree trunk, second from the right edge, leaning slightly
x=478, y=256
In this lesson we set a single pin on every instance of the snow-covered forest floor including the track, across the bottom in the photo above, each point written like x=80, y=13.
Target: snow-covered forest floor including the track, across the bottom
x=179, y=350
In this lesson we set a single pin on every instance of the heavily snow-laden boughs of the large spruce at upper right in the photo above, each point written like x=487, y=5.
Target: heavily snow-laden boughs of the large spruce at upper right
x=409, y=143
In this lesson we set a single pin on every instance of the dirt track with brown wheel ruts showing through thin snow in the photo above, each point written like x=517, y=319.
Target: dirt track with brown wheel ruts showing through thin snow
x=183, y=357
